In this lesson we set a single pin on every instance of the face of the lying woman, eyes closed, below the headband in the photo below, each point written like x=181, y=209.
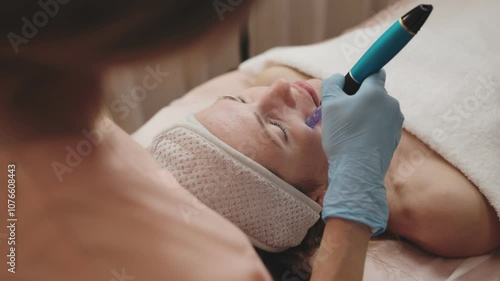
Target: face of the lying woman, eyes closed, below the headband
x=268, y=125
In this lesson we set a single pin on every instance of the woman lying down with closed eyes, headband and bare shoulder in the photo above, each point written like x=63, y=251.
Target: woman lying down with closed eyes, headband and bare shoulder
x=248, y=155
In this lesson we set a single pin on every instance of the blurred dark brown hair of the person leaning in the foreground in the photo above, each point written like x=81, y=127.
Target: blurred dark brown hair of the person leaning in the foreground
x=55, y=50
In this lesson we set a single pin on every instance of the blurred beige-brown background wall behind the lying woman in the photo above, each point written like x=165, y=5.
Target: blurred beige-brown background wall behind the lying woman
x=271, y=23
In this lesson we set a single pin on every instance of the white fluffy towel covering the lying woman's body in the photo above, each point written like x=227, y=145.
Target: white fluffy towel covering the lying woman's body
x=446, y=80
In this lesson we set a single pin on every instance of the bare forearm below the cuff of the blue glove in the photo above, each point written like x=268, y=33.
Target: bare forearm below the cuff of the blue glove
x=342, y=253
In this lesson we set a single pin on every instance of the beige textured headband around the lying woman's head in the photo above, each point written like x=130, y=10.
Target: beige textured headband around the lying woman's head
x=272, y=213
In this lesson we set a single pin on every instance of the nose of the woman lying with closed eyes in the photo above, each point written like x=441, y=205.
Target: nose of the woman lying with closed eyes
x=278, y=95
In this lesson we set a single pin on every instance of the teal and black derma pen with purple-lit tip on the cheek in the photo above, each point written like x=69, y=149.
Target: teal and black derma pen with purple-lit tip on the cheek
x=381, y=52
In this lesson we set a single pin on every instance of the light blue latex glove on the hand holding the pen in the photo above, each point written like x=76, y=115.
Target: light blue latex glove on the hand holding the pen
x=360, y=134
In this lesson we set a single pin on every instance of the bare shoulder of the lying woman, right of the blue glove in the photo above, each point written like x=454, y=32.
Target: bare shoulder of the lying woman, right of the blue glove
x=435, y=206
